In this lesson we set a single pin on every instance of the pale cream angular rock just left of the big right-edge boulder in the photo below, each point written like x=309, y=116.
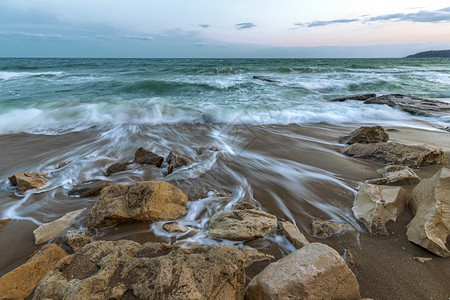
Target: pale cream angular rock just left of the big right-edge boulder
x=377, y=204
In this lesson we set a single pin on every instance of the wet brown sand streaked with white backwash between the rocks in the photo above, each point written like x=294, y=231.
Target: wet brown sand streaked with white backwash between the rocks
x=294, y=172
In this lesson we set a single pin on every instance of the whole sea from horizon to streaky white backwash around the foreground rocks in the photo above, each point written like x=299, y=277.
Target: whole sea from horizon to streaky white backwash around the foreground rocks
x=262, y=131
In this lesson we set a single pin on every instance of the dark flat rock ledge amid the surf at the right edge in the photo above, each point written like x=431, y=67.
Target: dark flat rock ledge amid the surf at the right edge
x=413, y=105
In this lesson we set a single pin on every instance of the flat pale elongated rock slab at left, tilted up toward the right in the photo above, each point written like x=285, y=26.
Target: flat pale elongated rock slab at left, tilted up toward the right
x=48, y=231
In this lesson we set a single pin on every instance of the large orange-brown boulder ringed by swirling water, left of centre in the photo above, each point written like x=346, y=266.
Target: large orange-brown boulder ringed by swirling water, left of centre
x=146, y=201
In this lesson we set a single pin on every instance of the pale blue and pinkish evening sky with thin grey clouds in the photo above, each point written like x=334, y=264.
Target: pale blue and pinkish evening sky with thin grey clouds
x=233, y=28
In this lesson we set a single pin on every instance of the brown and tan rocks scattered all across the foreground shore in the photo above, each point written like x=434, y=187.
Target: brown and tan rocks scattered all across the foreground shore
x=89, y=268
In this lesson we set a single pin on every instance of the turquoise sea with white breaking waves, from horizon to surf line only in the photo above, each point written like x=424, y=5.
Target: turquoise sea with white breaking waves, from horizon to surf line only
x=54, y=96
